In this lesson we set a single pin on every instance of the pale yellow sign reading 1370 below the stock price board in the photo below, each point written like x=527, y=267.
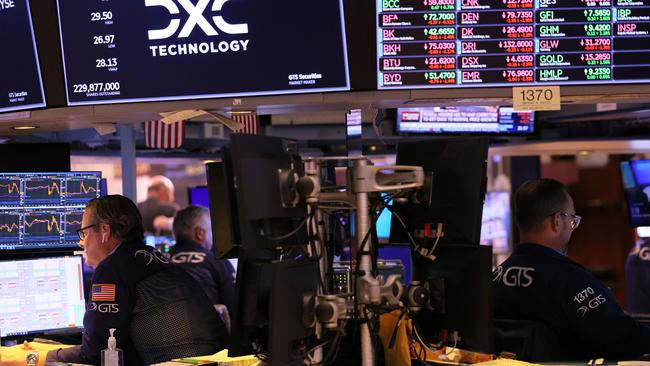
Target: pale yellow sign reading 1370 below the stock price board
x=536, y=98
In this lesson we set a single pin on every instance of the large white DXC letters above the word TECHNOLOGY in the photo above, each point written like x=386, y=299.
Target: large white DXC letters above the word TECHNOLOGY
x=196, y=18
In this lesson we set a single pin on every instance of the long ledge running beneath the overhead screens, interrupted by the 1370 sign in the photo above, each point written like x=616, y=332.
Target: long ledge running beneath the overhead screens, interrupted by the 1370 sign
x=71, y=118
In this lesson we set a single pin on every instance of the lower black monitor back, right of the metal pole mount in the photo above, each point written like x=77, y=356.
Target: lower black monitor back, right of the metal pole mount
x=460, y=281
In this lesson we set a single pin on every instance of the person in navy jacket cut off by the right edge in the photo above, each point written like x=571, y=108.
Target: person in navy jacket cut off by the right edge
x=637, y=279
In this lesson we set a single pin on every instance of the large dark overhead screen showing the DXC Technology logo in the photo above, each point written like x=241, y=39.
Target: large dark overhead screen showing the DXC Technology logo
x=152, y=50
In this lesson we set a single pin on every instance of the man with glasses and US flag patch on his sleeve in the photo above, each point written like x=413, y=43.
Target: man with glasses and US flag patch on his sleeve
x=159, y=311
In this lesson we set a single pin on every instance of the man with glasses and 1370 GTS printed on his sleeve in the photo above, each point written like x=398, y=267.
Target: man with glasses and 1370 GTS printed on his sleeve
x=538, y=284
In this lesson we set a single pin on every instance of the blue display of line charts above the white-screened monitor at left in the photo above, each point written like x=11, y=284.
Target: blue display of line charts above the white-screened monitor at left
x=44, y=210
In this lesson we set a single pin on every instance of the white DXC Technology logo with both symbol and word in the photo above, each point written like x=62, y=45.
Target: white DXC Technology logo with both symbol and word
x=196, y=18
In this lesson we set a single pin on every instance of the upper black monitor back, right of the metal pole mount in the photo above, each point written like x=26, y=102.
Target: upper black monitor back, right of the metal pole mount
x=455, y=185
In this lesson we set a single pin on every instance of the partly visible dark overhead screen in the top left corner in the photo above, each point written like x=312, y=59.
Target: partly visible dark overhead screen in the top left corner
x=21, y=86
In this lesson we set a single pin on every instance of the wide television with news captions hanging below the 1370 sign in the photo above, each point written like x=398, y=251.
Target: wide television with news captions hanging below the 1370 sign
x=479, y=119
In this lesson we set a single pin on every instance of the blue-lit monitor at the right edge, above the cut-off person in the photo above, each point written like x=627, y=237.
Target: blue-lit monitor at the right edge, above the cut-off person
x=636, y=183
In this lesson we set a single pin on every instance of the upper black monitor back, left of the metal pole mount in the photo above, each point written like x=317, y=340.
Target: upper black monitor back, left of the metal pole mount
x=265, y=207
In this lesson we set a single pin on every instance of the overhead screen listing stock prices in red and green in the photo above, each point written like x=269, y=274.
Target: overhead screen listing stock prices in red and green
x=489, y=43
